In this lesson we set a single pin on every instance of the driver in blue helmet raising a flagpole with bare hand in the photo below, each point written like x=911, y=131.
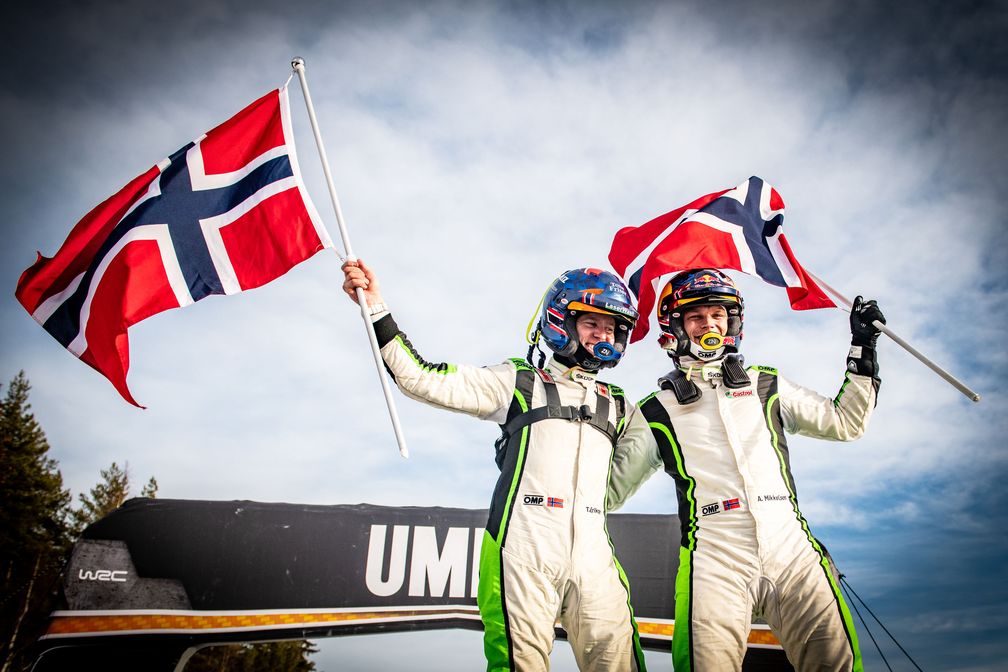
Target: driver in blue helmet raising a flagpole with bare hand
x=546, y=554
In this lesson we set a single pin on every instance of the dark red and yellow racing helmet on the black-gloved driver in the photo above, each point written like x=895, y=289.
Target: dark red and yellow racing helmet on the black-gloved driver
x=697, y=288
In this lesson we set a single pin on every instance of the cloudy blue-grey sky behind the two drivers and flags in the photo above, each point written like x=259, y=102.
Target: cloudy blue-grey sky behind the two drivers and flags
x=480, y=150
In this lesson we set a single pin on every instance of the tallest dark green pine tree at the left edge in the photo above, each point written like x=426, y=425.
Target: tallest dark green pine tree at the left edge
x=35, y=535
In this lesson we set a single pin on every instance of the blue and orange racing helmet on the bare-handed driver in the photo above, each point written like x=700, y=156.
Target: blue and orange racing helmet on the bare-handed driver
x=586, y=291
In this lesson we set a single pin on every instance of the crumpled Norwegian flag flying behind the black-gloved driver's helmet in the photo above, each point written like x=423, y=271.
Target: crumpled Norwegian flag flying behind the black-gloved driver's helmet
x=739, y=229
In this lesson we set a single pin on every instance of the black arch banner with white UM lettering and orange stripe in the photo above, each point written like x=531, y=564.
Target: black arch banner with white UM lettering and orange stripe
x=158, y=578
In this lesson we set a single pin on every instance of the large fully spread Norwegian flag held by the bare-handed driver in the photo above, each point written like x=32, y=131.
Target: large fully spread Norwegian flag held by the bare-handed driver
x=226, y=213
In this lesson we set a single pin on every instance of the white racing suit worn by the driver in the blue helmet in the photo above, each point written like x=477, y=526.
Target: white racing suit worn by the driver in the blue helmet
x=547, y=555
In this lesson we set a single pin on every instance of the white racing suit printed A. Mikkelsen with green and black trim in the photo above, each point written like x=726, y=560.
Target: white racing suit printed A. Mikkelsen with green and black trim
x=746, y=550
